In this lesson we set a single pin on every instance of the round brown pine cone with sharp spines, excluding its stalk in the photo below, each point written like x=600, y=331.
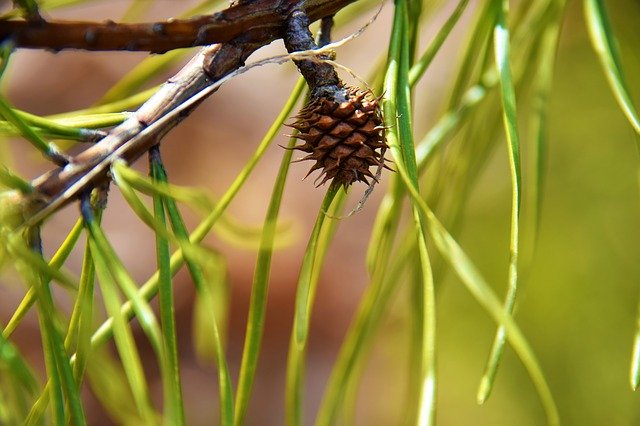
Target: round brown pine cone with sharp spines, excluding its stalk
x=343, y=133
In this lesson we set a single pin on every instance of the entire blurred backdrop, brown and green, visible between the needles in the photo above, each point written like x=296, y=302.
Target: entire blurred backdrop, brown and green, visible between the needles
x=578, y=308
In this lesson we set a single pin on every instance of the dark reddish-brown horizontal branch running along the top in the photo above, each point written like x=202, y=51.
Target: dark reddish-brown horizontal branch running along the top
x=254, y=21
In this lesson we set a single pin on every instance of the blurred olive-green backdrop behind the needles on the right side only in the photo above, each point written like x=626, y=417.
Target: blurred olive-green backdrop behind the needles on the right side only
x=579, y=302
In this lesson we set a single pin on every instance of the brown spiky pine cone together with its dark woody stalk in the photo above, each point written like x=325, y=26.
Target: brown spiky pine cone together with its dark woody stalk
x=341, y=128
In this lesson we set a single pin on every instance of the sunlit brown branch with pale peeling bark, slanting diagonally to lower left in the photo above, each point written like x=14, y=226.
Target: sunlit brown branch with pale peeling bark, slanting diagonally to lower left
x=138, y=134
